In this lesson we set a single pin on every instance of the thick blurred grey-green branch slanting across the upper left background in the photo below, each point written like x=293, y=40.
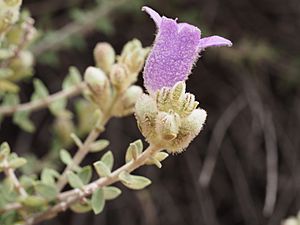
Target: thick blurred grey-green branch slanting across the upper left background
x=83, y=27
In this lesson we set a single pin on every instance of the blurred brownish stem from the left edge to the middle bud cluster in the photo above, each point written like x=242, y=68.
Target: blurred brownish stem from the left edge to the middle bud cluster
x=42, y=103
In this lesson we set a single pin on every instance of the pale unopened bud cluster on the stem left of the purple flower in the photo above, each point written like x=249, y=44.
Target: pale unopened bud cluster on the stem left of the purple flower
x=114, y=75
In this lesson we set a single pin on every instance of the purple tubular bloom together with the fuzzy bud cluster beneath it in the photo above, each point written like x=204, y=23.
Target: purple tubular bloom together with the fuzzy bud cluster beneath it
x=168, y=116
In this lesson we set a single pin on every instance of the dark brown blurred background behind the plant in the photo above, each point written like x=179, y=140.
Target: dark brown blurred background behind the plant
x=243, y=169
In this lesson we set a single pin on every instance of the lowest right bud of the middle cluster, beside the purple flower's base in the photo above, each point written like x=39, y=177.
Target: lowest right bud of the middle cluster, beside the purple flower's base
x=126, y=103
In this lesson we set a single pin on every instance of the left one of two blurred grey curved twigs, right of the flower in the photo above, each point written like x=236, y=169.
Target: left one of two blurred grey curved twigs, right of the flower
x=217, y=138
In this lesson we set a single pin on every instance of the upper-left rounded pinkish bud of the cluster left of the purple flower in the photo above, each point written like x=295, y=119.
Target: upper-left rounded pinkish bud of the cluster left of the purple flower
x=104, y=55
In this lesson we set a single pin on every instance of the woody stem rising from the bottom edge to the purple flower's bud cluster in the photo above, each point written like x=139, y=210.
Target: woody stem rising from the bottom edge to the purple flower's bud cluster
x=77, y=194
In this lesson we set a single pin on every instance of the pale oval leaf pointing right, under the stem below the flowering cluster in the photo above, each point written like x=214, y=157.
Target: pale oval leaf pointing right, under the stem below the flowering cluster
x=133, y=181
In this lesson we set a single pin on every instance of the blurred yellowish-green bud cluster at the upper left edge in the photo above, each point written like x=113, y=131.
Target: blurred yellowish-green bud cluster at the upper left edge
x=15, y=36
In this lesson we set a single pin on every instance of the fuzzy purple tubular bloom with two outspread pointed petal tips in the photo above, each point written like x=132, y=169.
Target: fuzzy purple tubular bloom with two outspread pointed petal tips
x=175, y=50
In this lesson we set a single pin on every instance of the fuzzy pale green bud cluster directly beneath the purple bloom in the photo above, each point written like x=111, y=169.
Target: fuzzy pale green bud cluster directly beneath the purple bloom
x=170, y=118
